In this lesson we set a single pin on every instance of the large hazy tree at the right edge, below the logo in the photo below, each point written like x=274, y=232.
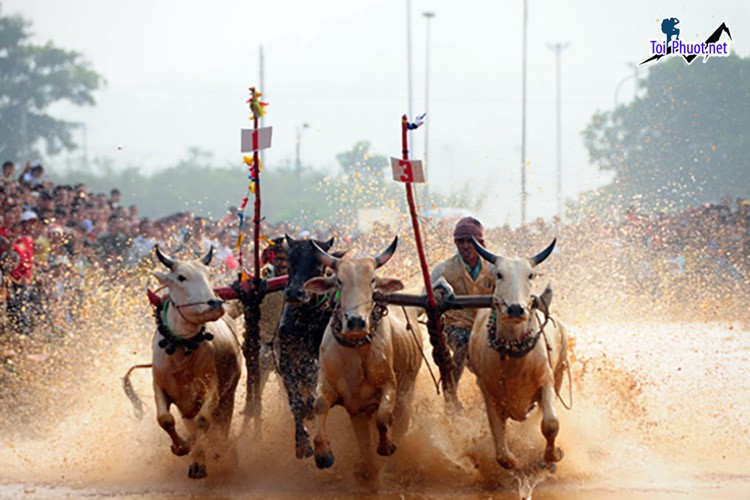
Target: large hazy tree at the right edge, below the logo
x=686, y=141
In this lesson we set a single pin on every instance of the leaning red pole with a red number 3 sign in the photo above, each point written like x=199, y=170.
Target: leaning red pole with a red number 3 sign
x=410, y=171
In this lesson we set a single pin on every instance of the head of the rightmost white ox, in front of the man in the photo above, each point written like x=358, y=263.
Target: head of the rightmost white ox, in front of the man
x=513, y=276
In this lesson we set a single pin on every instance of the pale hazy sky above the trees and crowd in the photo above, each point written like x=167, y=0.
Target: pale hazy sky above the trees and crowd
x=177, y=76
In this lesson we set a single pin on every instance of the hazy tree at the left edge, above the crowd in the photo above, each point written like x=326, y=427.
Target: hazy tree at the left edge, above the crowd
x=32, y=77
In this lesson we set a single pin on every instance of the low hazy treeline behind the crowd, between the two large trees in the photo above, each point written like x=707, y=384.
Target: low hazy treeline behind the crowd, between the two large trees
x=302, y=197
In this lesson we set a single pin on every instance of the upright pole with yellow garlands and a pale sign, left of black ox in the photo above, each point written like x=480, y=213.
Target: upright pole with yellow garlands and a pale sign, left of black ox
x=252, y=140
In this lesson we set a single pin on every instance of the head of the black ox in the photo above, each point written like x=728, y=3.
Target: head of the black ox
x=303, y=265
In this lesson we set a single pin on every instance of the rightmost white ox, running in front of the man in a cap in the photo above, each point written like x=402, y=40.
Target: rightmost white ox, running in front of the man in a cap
x=516, y=365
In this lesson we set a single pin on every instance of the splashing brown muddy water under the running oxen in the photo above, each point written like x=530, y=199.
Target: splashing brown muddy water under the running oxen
x=660, y=411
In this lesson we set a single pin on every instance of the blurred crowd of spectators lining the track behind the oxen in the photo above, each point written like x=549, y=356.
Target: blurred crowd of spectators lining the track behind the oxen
x=56, y=240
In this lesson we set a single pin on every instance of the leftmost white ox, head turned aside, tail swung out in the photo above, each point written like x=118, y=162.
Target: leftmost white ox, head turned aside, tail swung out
x=196, y=360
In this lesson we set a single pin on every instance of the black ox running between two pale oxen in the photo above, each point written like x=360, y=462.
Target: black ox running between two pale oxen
x=301, y=329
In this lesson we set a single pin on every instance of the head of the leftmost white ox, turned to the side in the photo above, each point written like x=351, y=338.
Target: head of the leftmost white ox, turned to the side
x=189, y=288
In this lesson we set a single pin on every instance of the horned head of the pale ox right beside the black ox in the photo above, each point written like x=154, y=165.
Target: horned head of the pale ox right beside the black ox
x=356, y=281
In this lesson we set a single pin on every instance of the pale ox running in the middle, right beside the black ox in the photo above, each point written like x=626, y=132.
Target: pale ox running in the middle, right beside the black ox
x=368, y=359
